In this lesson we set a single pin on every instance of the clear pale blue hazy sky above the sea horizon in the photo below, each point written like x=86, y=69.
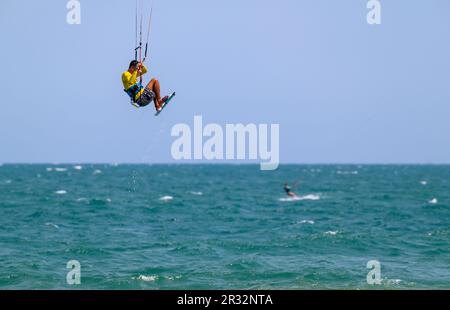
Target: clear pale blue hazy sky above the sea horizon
x=342, y=91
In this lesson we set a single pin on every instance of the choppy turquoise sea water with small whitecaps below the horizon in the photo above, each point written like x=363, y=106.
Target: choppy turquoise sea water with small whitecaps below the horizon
x=224, y=226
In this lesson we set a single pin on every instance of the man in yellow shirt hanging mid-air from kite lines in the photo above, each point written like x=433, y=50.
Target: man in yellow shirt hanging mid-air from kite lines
x=140, y=95
